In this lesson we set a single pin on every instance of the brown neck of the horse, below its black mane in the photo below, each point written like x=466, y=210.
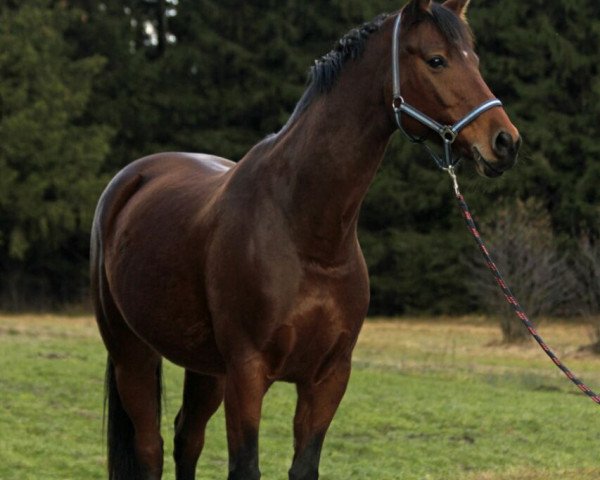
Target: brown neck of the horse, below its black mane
x=319, y=167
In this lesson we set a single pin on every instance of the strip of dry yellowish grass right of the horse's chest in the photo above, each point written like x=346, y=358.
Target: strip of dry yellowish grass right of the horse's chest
x=472, y=345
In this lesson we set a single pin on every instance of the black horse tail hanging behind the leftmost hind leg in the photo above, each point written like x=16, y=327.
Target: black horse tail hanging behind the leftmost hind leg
x=122, y=460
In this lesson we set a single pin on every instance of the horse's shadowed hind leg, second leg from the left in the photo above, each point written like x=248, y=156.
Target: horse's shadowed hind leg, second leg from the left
x=202, y=396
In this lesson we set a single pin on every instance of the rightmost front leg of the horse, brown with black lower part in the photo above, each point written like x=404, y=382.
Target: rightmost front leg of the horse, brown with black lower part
x=317, y=404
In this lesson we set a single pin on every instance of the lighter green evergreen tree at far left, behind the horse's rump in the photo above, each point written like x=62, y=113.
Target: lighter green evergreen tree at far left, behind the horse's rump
x=49, y=160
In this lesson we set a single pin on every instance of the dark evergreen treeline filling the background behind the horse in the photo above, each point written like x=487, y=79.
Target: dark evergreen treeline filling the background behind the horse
x=87, y=86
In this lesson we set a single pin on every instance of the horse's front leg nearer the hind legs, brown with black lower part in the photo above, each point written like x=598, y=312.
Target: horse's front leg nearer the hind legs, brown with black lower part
x=245, y=387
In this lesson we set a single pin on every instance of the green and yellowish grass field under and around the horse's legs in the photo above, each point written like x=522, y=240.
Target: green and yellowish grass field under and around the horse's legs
x=428, y=400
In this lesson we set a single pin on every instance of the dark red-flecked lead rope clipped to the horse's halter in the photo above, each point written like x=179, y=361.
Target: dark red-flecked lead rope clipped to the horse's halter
x=510, y=298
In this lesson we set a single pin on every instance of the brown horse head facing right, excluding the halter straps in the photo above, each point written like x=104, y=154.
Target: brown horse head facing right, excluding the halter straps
x=439, y=76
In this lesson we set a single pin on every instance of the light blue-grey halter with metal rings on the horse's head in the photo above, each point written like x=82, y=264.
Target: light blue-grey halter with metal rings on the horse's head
x=448, y=133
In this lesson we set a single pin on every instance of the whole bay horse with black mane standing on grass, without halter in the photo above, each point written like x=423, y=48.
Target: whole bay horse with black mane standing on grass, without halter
x=249, y=273
